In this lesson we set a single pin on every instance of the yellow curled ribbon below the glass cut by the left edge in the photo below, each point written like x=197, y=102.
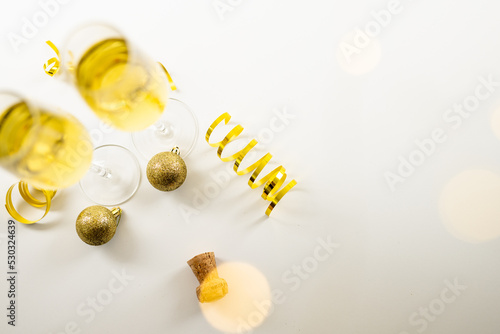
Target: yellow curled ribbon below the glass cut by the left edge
x=28, y=197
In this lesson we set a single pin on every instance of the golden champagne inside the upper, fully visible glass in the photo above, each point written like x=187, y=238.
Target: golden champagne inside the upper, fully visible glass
x=126, y=91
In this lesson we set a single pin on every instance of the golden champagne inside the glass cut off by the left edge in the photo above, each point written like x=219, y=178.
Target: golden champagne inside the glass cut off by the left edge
x=49, y=151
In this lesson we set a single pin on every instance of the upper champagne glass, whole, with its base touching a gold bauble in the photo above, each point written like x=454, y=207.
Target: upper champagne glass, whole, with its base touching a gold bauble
x=128, y=90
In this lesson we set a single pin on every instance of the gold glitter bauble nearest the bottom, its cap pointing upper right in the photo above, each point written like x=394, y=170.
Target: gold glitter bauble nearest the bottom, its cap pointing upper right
x=96, y=225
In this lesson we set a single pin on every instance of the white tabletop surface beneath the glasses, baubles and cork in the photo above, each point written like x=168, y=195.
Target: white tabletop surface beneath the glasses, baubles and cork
x=396, y=250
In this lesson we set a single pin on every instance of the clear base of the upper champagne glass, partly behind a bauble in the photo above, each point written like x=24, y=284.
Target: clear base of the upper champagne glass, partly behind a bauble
x=177, y=126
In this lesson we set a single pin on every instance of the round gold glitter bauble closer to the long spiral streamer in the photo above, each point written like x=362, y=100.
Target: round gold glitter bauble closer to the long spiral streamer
x=166, y=171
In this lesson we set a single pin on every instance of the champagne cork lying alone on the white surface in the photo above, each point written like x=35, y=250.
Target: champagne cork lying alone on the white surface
x=211, y=287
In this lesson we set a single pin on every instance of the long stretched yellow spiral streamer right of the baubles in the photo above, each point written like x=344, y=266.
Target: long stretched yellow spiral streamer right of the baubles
x=273, y=181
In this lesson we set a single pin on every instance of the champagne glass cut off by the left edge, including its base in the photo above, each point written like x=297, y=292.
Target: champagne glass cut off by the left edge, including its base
x=52, y=150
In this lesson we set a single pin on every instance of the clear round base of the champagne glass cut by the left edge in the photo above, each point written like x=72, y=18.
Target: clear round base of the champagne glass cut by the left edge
x=113, y=177
